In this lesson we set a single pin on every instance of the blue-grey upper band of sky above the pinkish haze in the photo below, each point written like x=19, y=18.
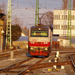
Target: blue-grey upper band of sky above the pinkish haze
x=51, y=4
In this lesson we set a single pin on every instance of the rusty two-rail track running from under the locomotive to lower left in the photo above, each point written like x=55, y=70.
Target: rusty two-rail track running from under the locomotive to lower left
x=19, y=65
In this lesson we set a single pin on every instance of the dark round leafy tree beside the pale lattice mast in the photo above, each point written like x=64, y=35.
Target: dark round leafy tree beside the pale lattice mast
x=16, y=32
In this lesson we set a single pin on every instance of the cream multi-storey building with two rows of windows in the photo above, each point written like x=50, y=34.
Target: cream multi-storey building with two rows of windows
x=60, y=22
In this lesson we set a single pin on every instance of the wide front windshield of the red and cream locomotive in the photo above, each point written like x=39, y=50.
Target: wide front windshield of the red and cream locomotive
x=39, y=33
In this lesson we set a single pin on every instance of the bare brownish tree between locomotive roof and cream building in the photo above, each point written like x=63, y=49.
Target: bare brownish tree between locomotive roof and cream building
x=47, y=19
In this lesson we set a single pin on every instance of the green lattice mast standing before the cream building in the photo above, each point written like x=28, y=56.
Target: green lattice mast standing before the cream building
x=69, y=21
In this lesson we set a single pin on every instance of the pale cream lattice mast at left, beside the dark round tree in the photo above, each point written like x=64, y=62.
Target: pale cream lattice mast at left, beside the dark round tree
x=8, y=26
